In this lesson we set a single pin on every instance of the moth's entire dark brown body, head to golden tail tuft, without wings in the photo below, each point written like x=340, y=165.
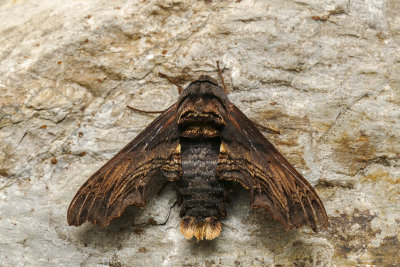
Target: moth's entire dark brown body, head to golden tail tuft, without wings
x=201, y=193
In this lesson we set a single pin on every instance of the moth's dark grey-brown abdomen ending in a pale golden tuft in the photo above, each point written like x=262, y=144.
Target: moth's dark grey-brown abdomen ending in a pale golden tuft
x=202, y=195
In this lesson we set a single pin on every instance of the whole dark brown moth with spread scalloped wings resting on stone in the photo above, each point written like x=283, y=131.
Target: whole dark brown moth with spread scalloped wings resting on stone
x=201, y=142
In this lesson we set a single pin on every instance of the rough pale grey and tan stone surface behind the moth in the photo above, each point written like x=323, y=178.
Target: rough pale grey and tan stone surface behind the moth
x=325, y=73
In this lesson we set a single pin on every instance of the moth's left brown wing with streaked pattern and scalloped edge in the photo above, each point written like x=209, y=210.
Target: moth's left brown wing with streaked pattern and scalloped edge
x=124, y=179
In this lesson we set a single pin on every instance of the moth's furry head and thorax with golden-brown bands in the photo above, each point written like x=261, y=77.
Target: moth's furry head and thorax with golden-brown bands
x=202, y=102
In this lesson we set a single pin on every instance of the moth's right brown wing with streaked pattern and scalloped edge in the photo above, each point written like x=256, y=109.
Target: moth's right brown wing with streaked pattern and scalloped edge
x=250, y=159
